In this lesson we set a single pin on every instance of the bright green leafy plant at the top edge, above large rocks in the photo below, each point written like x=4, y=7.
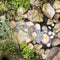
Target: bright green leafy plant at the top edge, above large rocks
x=20, y=3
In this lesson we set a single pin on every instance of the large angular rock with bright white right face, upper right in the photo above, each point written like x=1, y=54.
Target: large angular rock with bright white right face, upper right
x=48, y=10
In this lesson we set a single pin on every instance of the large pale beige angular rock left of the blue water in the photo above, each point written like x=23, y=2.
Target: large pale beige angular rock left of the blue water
x=23, y=36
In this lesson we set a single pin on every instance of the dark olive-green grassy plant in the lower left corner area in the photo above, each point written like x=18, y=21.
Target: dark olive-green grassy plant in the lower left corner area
x=7, y=47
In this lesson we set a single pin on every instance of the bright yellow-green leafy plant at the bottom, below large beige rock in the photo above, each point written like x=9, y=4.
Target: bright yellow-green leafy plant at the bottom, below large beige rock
x=27, y=53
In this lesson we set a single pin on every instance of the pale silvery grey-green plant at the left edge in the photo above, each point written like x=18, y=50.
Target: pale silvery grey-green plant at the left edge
x=5, y=29
